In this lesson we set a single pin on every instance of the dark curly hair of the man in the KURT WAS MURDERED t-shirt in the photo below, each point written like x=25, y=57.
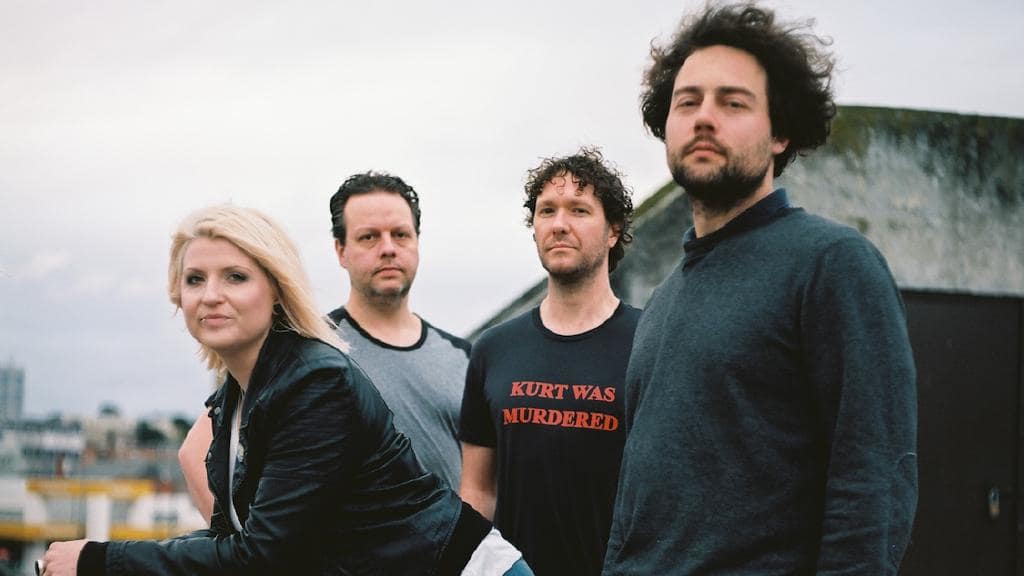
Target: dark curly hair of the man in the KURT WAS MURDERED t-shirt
x=588, y=168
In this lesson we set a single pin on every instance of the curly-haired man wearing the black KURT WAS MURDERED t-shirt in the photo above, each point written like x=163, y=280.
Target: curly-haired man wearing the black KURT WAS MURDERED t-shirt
x=542, y=413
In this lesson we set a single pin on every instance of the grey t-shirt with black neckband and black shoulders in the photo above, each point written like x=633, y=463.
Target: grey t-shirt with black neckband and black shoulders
x=422, y=385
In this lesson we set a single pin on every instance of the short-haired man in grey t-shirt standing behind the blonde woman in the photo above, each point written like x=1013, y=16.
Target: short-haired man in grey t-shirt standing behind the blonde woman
x=419, y=369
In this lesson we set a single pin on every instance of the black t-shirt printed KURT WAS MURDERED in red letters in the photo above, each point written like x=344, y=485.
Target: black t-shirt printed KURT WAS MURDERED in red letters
x=551, y=407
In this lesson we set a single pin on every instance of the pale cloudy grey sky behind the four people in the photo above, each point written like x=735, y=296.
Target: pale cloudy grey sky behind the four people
x=118, y=118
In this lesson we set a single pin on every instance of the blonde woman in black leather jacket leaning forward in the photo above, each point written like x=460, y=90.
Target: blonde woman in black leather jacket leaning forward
x=309, y=475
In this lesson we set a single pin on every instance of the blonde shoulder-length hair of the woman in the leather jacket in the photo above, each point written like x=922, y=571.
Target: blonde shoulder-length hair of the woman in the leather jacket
x=266, y=242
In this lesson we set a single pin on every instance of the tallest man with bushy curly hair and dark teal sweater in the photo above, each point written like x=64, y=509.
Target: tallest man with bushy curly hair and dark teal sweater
x=771, y=402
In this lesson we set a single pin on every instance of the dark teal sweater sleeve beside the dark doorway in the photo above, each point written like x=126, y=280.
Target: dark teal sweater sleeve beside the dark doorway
x=862, y=367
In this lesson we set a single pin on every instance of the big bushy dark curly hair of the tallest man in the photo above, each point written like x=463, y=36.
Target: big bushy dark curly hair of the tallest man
x=800, y=99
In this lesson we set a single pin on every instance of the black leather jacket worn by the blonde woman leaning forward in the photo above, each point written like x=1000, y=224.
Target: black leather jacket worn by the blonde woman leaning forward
x=323, y=483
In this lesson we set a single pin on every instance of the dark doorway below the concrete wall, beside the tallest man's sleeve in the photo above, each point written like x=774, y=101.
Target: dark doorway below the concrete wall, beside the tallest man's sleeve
x=969, y=356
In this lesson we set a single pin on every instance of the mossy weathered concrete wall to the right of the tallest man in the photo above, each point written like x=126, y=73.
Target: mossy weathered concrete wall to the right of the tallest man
x=942, y=195
